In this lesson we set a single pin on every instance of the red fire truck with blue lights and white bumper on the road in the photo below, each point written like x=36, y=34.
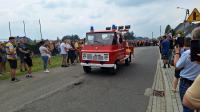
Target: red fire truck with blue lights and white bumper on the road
x=105, y=49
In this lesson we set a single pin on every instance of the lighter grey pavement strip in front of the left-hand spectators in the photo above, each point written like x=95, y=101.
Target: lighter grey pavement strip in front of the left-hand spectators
x=15, y=95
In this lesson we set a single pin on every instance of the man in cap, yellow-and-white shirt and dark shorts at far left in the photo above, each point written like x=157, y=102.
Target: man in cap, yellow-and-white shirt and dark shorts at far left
x=12, y=57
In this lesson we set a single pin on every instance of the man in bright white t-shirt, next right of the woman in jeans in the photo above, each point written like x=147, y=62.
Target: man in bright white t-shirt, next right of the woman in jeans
x=63, y=52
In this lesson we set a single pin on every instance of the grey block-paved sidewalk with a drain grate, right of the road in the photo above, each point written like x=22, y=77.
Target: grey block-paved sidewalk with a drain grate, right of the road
x=162, y=98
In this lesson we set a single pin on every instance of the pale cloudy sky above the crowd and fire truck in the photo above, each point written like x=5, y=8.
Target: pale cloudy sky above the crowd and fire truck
x=66, y=17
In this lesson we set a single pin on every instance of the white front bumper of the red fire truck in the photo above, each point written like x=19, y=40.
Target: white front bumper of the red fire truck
x=98, y=65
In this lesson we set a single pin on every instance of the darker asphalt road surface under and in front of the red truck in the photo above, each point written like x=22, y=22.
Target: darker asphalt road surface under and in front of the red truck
x=102, y=92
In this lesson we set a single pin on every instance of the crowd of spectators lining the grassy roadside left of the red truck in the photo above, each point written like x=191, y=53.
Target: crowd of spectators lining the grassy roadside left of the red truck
x=16, y=52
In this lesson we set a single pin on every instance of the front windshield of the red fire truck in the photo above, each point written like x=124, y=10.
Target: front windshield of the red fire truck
x=99, y=39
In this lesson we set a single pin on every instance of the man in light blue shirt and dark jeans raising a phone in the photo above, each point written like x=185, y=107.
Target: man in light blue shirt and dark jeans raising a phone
x=190, y=70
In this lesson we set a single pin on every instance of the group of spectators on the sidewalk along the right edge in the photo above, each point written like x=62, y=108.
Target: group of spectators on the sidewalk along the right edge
x=176, y=51
